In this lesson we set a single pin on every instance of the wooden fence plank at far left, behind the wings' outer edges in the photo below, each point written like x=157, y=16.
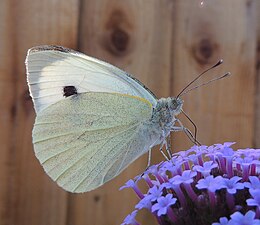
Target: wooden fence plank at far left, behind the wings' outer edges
x=30, y=196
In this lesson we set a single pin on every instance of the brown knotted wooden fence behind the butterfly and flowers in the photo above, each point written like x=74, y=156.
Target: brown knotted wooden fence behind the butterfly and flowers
x=165, y=44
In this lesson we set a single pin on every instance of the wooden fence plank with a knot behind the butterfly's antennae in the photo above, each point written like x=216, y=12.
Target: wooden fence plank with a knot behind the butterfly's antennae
x=224, y=110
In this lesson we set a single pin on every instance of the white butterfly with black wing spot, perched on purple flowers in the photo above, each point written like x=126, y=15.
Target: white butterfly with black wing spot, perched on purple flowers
x=93, y=119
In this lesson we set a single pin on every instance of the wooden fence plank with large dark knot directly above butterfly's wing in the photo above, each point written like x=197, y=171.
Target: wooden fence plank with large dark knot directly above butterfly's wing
x=134, y=35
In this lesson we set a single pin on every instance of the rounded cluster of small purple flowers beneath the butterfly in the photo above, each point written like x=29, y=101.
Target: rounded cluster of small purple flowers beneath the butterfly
x=204, y=185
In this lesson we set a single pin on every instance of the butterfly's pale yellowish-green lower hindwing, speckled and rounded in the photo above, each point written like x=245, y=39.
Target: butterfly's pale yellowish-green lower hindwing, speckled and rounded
x=87, y=139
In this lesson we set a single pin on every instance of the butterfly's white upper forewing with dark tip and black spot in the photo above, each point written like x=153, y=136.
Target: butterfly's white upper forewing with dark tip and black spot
x=51, y=68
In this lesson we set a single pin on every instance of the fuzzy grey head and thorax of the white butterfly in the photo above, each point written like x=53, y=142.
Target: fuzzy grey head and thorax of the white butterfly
x=165, y=112
